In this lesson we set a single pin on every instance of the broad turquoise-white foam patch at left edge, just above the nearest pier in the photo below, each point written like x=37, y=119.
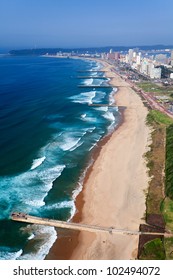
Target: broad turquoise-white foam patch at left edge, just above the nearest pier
x=37, y=184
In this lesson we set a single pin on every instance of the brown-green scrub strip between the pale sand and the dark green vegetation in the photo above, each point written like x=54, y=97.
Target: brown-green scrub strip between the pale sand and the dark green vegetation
x=156, y=160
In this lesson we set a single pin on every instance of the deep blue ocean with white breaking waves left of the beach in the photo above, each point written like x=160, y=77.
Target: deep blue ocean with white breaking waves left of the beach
x=48, y=133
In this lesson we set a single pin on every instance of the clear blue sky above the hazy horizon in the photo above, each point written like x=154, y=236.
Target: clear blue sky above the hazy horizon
x=85, y=23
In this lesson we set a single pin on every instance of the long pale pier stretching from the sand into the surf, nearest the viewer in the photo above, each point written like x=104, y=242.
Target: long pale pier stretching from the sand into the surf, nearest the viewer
x=22, y=217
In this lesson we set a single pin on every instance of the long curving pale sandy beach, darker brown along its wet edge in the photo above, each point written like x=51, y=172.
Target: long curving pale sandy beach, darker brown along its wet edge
x=113, y=193
